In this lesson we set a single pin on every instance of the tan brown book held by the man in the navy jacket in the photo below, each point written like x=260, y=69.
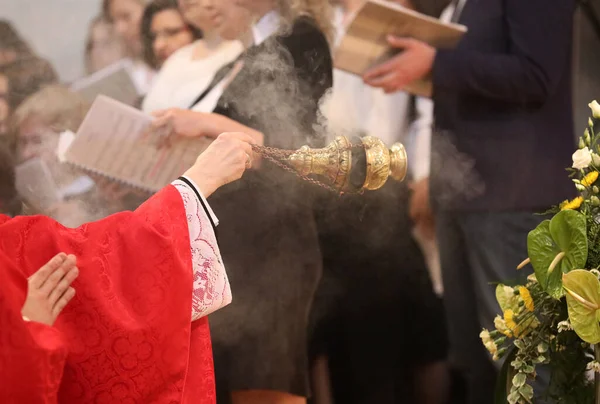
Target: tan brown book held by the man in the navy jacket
x=365, y=45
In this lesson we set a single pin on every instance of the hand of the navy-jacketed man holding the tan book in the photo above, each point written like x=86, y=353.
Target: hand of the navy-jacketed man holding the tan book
x=413, y=63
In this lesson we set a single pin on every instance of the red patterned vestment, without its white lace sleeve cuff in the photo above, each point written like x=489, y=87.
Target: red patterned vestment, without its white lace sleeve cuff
x=128, y=331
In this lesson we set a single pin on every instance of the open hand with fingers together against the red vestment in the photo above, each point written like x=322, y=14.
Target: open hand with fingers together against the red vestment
x=49, y=289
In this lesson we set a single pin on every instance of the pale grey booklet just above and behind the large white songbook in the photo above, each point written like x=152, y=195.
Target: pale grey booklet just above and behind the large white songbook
x=114, y=81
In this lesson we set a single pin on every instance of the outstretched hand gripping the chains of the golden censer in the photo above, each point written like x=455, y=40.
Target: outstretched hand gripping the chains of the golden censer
x=224, y=161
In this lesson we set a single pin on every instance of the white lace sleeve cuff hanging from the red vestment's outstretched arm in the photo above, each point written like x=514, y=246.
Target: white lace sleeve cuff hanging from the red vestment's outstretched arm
x=211, y=289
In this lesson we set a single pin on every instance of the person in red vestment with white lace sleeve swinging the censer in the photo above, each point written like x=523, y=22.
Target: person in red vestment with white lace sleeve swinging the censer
x=136, y=330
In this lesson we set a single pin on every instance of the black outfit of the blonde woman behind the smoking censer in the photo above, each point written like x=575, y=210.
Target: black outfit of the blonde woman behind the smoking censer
x=268, y=233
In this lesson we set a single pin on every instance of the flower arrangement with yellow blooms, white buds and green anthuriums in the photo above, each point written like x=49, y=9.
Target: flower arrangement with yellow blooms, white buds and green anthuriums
x=553, y=319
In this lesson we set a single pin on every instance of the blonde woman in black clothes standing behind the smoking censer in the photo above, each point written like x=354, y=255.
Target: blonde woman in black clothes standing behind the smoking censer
x=273, y=91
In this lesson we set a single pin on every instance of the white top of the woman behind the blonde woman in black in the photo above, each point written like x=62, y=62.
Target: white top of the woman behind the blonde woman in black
x=182, y=78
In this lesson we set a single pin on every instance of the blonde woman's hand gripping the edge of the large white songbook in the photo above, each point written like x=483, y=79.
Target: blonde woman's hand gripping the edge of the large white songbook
x=183, y=122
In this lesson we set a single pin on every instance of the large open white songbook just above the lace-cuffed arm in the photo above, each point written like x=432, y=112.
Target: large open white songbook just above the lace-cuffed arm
x=117, y=141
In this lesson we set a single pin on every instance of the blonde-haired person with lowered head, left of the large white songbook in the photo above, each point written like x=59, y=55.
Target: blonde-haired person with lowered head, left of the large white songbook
x=42, y=128
